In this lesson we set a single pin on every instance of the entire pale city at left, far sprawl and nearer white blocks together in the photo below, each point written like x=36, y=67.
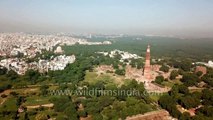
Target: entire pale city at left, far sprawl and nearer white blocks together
x=15, y=47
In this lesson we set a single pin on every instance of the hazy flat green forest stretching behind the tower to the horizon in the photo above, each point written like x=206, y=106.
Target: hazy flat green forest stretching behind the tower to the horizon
x=199, y=49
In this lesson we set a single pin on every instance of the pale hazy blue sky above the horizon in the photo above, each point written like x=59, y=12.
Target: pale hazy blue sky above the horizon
x=162, y=17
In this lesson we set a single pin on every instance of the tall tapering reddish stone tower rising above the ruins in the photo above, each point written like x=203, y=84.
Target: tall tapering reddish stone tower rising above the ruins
x=147, y=67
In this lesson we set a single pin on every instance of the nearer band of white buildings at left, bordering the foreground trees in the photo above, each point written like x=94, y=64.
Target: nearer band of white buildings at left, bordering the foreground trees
x=20, y=66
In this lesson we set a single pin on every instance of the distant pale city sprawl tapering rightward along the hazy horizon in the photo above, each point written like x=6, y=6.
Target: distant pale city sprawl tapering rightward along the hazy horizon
x=12, y=44
